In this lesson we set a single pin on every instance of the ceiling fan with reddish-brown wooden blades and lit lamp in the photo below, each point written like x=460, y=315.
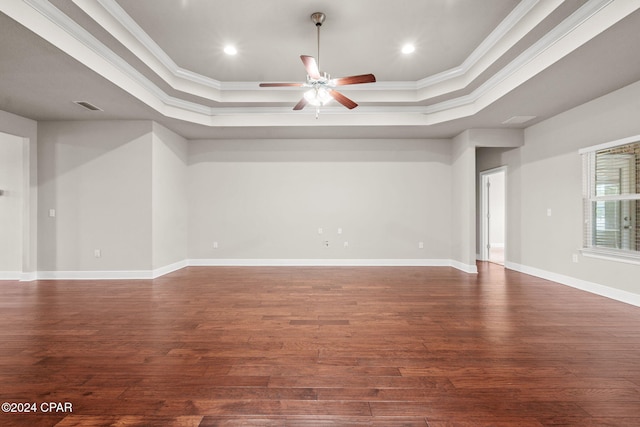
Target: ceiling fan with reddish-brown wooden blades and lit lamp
x=321, y=85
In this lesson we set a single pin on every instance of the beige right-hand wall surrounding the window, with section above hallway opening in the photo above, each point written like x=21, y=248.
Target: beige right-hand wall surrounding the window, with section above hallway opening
x=546, y=173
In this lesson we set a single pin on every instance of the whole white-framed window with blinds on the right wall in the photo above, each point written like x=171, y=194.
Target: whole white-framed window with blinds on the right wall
x=611, y=198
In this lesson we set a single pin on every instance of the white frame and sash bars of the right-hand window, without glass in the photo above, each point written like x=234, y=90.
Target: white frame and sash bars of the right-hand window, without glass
x=589, y=196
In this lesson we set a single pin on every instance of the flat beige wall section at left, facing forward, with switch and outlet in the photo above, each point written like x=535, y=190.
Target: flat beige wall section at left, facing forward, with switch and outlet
x=97, y=177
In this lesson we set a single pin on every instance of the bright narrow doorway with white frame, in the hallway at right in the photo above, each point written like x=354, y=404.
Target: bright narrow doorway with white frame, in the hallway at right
x=493, y=197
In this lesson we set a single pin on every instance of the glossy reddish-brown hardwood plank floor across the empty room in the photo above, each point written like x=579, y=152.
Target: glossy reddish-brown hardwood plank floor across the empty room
x=227, y=346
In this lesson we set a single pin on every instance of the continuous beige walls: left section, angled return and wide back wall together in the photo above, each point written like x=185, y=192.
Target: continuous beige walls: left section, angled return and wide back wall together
x=128, y=191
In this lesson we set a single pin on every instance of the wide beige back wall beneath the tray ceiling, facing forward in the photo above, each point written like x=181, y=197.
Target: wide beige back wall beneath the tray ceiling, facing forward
x=266, y=199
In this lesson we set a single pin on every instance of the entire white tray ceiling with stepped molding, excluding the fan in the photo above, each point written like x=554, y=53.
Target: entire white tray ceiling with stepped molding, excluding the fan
x=476, y=64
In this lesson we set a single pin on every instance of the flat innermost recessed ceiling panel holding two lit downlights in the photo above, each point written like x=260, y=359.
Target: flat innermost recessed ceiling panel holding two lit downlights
x=357, y=37
